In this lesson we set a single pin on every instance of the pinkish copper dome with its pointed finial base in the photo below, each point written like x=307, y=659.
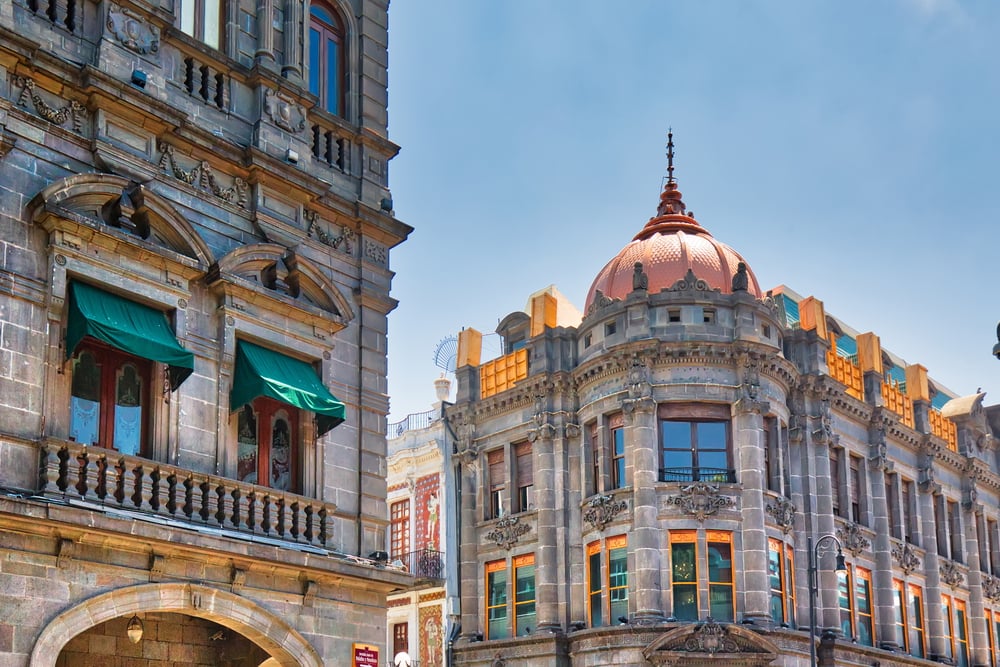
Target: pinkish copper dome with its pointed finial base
x=671, y=244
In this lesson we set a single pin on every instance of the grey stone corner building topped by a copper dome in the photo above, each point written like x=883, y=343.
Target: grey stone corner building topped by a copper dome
x=642, y=488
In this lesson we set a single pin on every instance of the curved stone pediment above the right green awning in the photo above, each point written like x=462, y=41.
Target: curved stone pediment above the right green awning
x=316, y=289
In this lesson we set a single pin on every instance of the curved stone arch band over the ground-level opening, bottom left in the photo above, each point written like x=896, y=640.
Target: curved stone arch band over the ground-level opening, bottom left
x=287, y=647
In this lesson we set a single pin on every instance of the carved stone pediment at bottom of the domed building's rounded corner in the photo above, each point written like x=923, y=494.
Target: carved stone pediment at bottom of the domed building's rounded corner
x=702, y=644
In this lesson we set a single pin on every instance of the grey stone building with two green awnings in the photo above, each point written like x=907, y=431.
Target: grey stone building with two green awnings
x=194, y=285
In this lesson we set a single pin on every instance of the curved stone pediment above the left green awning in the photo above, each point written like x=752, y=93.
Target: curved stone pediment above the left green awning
x=85, y=195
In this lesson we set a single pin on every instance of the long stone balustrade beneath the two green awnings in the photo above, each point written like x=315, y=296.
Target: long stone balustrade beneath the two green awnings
x=107, y=478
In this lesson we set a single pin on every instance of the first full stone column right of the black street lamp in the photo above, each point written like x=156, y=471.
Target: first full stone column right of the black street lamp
x=878, y=466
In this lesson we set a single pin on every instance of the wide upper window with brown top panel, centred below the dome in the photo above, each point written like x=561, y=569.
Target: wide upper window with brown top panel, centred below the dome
x=695, y=443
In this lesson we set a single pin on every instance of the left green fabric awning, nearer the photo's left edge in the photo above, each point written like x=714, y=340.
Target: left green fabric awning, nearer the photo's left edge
x=127, y=326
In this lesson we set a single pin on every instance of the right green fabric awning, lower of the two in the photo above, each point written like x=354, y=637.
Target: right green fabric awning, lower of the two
x=263, y=372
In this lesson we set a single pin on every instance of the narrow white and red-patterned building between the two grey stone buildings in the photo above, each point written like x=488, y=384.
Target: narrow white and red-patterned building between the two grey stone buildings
x=422, y=539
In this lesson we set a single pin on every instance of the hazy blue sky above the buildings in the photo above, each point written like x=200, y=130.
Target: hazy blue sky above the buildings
x=846, y=149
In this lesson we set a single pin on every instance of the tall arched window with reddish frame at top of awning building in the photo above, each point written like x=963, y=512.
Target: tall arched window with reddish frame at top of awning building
x=326, y=58
